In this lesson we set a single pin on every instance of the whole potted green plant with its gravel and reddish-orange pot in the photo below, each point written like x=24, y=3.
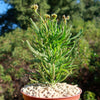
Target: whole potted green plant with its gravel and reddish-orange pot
x=53, y=48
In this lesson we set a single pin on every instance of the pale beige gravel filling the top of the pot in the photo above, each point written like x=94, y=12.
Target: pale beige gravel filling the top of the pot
x=58, y=90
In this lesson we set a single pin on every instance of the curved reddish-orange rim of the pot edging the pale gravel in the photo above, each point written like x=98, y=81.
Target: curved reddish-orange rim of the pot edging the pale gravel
x=51, y=98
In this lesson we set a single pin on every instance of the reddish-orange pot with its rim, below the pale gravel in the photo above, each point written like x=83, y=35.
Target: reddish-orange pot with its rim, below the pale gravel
x=27, y=97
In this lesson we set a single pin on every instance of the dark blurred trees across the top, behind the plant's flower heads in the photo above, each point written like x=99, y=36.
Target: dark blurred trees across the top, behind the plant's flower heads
x=86, y=9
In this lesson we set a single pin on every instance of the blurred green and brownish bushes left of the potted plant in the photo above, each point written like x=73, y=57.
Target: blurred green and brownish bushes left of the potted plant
x=14, y=60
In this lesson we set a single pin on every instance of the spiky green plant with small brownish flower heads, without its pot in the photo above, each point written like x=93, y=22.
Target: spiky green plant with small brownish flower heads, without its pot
x=53, y=48
